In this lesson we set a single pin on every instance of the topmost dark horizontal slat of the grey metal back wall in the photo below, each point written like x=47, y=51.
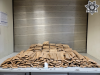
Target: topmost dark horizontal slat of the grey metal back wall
x=48, y=2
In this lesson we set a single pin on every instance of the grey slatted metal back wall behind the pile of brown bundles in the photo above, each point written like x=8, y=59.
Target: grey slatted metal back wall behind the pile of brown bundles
x=57, y=21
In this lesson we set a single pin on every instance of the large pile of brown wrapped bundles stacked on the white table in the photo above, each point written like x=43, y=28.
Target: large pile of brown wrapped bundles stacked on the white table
x=56, y=55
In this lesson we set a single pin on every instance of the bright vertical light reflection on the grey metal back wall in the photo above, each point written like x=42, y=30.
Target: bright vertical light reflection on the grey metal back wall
x=40, y=19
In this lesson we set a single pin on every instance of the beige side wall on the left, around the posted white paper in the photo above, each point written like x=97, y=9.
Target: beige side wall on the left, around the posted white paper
x=6, y=32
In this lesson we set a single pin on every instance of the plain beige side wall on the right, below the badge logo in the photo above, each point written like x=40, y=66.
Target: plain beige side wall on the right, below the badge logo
x=93, y=41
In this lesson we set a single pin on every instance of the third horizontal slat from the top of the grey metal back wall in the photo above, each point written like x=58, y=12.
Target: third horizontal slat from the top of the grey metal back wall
x=51, y=14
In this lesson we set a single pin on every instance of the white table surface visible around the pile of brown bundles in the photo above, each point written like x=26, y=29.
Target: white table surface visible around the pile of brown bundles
x=66, y=70
